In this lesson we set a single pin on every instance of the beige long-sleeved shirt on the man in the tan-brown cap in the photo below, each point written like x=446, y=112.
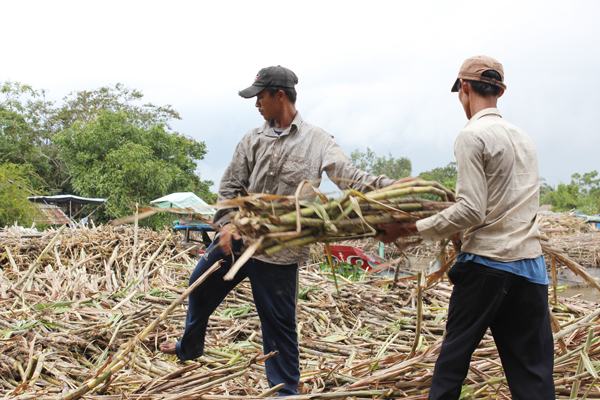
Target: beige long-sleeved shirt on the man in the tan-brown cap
x=497, y=191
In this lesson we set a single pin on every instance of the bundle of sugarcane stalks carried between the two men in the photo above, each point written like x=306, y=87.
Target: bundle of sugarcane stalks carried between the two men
x=272, y=223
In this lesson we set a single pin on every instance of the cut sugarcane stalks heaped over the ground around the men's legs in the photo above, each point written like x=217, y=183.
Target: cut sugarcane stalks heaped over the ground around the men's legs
x=82, y=313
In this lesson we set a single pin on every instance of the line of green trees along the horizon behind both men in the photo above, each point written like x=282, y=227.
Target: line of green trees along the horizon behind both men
x=108, y=143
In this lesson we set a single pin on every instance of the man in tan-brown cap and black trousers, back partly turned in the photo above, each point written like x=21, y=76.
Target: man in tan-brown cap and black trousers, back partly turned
x=500, y=279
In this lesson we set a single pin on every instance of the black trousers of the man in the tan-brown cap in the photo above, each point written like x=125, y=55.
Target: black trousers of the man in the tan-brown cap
x=516, y=311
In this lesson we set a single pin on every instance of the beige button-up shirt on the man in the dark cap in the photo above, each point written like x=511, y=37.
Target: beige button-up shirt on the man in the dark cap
x=267, y=162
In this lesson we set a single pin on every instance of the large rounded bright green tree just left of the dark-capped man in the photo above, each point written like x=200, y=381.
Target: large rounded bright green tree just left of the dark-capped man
x=114, y=158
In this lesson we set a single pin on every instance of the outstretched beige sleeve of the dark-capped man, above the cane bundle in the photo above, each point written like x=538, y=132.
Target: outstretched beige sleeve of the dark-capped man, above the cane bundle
x=344, y=174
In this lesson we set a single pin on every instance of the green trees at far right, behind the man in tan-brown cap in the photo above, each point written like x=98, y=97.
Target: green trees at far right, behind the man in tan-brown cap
x=582, y=193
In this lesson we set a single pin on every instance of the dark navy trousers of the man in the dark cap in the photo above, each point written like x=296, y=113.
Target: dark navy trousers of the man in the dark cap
x=274, y=288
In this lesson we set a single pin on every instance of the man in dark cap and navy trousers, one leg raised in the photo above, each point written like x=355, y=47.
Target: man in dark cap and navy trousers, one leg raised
x=273, y=158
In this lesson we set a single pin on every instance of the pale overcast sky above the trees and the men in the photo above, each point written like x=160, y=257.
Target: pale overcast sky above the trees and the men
x=372, y=73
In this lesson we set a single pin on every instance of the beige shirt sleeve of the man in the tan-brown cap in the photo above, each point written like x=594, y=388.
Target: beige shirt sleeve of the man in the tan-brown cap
x=471, y=192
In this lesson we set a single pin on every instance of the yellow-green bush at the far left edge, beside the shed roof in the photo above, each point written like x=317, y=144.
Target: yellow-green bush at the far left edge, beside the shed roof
x=15, y=187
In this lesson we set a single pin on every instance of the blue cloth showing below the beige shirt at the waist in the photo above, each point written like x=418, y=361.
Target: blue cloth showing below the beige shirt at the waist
x=532, y=269
